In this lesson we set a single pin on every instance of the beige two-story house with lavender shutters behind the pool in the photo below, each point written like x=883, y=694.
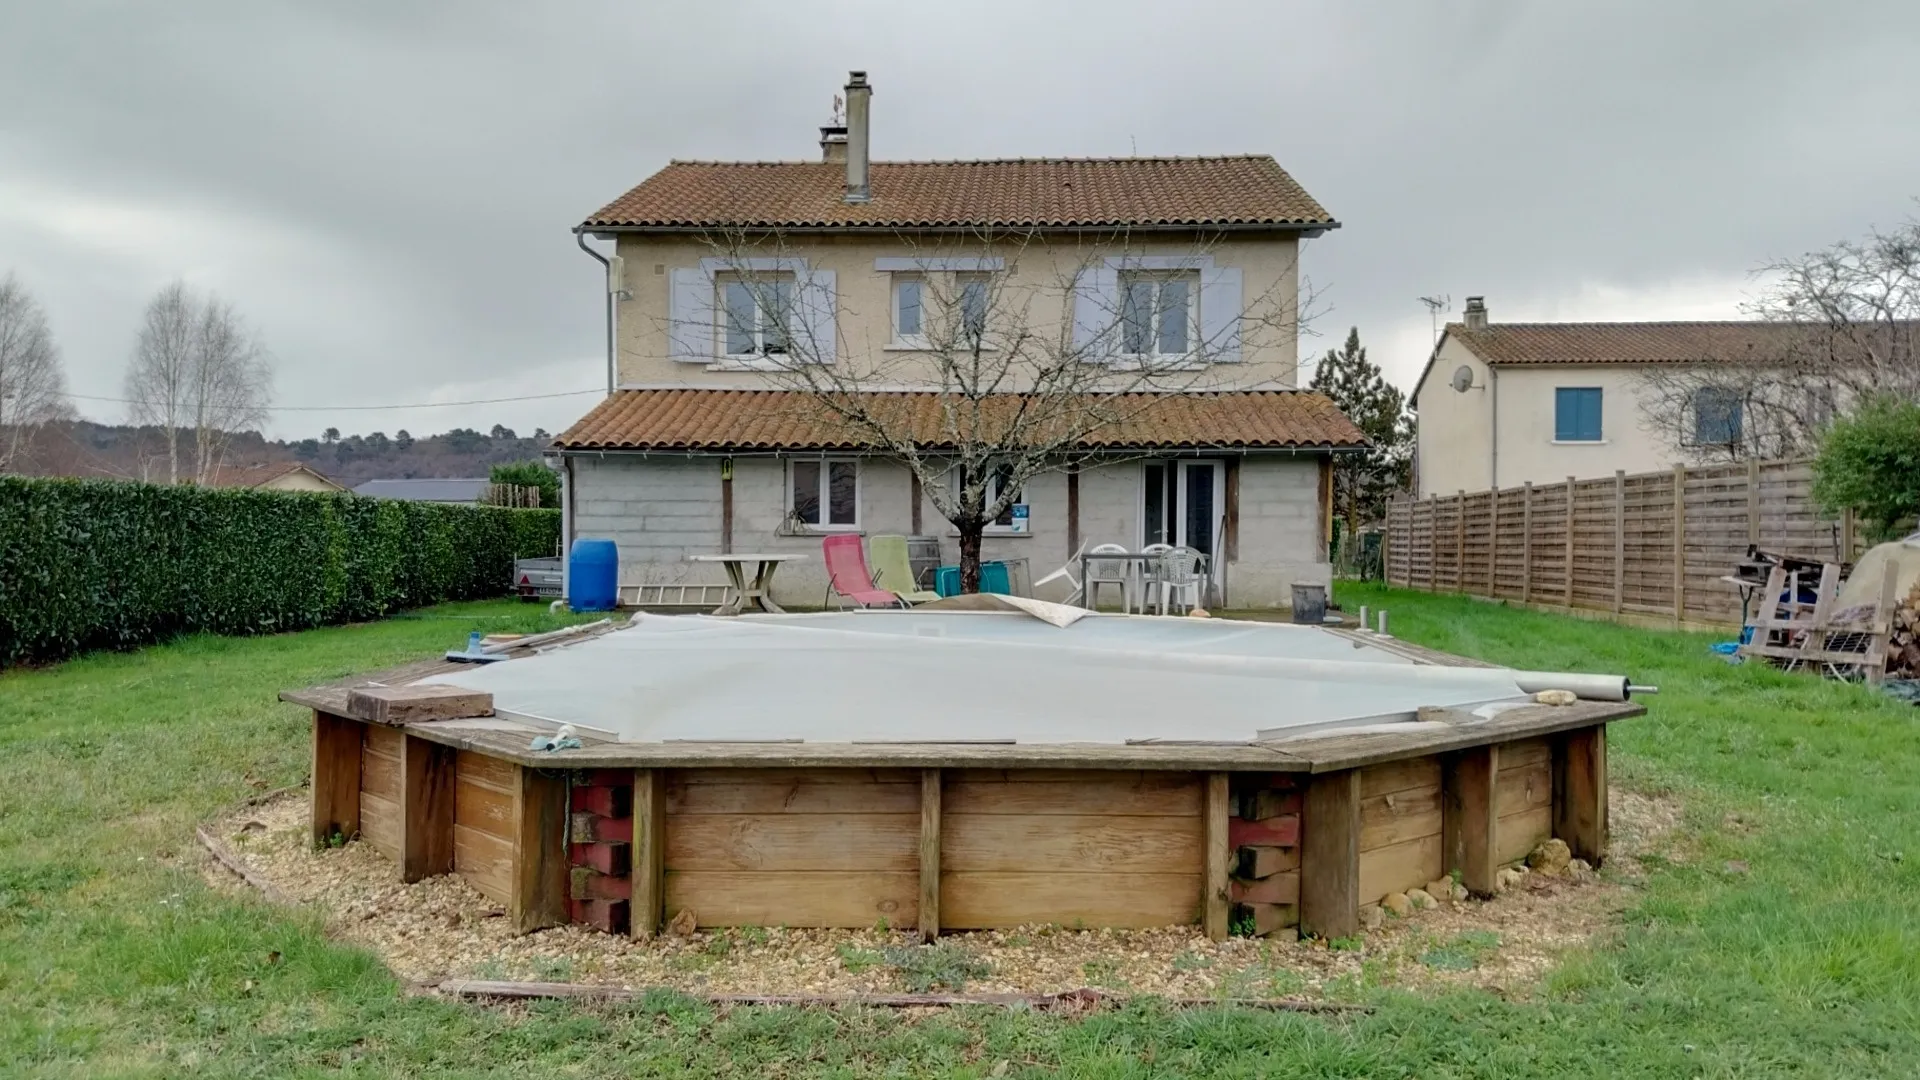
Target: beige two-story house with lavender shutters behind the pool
x=729, y=274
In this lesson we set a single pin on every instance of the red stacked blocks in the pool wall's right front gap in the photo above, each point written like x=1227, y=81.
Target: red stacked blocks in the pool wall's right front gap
x=1264, y=835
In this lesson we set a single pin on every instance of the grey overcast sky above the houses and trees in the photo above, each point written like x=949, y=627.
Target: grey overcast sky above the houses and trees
x=385, y=189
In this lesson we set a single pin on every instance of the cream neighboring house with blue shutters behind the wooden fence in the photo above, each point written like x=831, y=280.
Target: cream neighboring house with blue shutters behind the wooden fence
x=1502, y=405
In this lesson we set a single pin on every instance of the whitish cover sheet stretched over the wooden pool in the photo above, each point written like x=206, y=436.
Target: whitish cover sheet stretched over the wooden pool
x=971, y=677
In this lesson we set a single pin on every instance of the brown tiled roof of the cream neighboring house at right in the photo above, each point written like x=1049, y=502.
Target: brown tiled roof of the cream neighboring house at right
x=1627, y=343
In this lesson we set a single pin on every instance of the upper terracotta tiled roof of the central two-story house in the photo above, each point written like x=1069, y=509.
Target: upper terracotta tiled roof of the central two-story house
x=932, y=195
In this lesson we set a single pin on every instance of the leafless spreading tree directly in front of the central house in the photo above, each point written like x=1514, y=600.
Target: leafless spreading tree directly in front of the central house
x=1028, y=356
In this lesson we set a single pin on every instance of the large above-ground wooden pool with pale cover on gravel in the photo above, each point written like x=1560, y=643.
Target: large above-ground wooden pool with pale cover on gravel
x=961, y=772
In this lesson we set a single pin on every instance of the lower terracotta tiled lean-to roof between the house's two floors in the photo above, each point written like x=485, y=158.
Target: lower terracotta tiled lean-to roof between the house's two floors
x=794, y=420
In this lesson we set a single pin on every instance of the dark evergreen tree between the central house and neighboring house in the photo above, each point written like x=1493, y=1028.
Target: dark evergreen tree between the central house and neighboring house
x=1362, y=483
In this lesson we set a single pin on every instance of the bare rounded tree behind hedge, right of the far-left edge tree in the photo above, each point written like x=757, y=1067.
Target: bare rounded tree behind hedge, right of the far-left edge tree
x=197, y=368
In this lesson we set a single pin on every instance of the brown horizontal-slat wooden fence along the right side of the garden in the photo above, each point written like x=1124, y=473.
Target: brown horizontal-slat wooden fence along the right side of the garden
x=1652, y=545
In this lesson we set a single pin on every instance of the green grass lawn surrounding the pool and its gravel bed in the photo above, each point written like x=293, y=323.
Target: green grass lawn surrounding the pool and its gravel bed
x=1787, y=943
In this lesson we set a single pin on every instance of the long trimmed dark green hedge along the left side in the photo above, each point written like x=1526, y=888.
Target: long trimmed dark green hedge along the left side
x=91, y=564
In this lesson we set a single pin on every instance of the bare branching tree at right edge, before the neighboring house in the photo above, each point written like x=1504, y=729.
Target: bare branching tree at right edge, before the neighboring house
x=1835, y=328
